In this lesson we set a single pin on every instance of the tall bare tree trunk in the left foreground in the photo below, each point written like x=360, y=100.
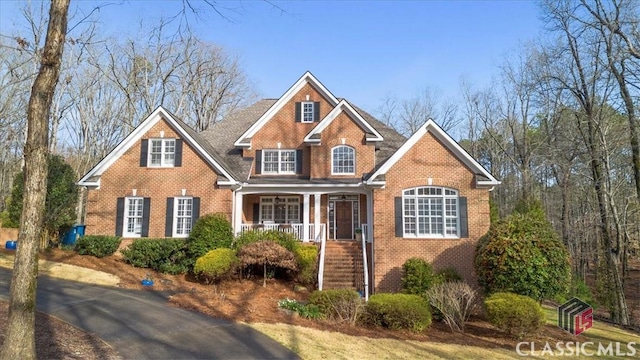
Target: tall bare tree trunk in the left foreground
x=19, y=342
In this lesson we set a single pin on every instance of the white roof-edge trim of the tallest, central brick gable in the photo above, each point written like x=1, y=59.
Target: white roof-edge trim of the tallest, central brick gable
x=244, y=140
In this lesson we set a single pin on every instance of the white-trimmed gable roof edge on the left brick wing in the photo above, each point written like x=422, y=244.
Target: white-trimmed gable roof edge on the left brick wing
x=92, y=178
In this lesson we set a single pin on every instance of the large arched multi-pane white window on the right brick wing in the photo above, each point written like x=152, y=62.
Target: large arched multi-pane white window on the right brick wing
x=430, y=211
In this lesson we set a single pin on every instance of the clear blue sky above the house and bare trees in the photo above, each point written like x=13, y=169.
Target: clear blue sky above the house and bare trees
x=360, y=50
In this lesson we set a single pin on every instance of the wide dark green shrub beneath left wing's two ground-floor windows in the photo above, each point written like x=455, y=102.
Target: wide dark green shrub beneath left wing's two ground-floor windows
x=163, y=255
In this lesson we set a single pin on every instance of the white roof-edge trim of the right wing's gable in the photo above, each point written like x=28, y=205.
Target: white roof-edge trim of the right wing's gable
x=483, y=176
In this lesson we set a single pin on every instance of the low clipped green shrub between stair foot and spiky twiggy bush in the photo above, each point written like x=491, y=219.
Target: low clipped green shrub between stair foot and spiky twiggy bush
x=397, y=311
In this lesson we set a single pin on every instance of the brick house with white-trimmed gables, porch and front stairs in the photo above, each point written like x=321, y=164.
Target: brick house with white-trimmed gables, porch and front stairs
x=307, y=163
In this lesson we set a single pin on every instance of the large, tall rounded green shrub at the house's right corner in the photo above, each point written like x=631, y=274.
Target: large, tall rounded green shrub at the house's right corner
x=523, y=254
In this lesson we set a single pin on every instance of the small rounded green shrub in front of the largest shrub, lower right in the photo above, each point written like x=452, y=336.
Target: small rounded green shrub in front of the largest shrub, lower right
x=518, y=315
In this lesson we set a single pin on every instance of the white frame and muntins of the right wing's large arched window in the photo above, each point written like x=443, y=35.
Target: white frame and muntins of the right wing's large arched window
x=444, y=212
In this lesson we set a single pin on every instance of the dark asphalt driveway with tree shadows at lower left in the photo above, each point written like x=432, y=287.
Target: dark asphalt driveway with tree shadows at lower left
x=141, y=325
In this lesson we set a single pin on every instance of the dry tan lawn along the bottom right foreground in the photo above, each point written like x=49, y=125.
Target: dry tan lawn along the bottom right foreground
x=312, y=344
